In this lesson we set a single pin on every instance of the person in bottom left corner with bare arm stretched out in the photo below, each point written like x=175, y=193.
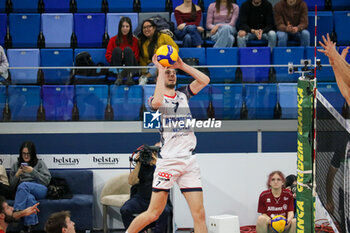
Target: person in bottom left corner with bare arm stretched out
x=7, y=215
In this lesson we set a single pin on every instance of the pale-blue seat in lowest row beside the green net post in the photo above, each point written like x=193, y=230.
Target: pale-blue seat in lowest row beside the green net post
x=287, y=97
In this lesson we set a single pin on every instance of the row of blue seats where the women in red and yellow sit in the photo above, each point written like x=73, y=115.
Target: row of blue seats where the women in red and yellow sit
x=94, y=29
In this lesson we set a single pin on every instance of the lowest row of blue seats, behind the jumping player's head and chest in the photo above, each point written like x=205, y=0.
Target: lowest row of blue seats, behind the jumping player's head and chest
x=101, y=102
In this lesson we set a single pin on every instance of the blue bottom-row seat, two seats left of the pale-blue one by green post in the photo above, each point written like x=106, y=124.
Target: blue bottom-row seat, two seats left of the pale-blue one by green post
x=227, y=100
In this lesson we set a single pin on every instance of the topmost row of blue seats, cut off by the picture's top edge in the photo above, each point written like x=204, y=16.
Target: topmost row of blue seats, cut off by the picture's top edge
x=129, y=5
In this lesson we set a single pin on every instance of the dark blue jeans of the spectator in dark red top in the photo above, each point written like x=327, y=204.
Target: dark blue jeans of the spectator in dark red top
x=190, y=36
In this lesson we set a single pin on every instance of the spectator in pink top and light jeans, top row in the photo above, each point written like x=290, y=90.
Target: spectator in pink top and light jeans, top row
x=221, y=21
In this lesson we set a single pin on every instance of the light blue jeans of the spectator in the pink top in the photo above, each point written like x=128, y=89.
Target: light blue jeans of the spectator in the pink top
x=224, y=37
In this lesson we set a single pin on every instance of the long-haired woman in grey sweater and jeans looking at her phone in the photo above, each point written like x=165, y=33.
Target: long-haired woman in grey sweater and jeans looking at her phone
x=32, y=177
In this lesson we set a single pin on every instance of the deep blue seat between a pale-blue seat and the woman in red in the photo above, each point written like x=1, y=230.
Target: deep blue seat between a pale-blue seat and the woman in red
x=89, y=29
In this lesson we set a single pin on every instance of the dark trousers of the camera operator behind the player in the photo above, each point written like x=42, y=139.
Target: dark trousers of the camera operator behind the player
x=136, y=205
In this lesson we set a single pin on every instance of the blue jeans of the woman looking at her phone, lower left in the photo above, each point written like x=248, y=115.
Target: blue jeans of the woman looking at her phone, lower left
x=26, y=195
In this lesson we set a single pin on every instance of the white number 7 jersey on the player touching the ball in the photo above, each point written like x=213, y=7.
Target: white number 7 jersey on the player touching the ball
x=177, y=135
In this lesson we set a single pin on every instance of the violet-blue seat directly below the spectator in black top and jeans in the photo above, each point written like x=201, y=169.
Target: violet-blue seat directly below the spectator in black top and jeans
x=255, y=56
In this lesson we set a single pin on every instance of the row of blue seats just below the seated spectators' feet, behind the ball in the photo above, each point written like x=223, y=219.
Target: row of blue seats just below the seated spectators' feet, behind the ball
x=206, y=56
